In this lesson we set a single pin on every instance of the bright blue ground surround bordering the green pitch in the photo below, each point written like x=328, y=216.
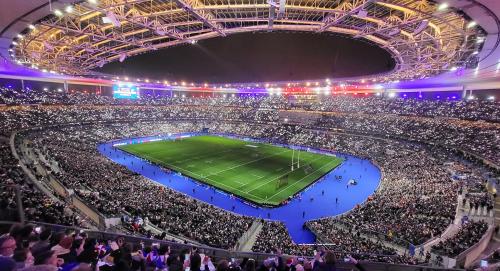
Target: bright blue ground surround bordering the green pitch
x=310, y=204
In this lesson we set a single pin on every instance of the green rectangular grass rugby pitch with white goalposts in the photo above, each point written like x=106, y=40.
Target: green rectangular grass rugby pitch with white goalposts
x=261, y=173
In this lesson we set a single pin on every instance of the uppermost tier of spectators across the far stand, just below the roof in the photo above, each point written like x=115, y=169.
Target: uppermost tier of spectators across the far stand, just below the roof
x=458, y=108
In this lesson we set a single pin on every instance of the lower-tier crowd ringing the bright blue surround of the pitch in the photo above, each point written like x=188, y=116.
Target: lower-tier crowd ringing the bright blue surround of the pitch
x=417, y=189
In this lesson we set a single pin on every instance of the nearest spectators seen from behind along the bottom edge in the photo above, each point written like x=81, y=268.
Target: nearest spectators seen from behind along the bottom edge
x=33, y=248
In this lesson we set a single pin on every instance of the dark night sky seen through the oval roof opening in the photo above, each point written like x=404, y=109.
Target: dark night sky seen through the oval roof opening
x=258, y=57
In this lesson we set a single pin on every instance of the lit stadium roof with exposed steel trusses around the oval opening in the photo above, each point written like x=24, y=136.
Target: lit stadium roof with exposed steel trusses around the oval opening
x=431, y=41
